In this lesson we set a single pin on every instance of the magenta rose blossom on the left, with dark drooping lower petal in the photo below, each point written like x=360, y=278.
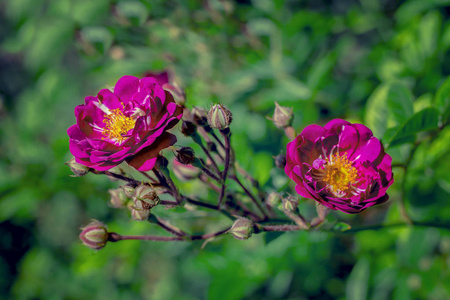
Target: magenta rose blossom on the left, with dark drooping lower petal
x=128, y=124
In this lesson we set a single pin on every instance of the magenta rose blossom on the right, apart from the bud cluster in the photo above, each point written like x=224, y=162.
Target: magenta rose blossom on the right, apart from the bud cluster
x=341, y=165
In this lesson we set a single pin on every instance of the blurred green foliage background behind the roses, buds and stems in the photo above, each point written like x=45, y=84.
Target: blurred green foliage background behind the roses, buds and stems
x=350, y=59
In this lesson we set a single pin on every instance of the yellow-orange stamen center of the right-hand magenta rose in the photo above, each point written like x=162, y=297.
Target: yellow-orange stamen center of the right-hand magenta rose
x=339, y=174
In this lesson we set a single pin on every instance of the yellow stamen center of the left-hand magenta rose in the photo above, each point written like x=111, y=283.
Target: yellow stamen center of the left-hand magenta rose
x=117, y=125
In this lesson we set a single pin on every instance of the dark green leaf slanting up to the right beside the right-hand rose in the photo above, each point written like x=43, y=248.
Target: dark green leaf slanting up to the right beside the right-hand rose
x=426, y=119
